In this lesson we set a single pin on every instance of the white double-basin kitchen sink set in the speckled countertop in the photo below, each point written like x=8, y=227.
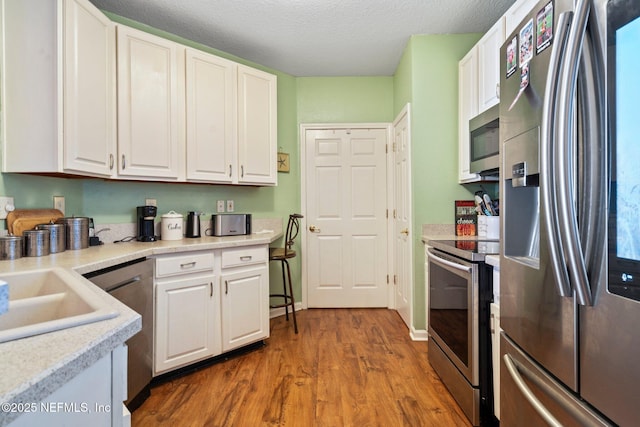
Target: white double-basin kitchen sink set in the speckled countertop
x=42, y=301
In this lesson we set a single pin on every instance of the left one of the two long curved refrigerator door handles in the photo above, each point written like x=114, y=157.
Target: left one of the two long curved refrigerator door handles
x=547, y=156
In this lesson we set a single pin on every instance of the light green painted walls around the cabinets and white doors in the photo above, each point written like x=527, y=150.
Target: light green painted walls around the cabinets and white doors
x=426, y=76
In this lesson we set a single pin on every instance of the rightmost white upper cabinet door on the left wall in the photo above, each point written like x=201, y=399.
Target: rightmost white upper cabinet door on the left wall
x=257, y=126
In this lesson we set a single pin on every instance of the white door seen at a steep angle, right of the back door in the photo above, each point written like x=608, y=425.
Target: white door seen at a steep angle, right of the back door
x=403, y=279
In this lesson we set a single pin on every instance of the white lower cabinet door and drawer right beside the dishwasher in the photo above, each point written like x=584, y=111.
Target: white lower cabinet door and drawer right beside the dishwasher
x=187, y=311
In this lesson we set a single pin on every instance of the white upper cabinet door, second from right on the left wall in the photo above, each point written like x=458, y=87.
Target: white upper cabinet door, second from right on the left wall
x=211, y=117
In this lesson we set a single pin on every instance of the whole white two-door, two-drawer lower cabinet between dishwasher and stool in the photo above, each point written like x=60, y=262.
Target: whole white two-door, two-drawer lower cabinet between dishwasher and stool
x=208, y=303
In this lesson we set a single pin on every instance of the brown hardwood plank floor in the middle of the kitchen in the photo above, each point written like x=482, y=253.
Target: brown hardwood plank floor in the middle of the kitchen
x=346, y=367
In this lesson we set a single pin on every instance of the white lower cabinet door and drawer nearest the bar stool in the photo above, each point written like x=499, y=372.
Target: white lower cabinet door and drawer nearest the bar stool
x=245, y=296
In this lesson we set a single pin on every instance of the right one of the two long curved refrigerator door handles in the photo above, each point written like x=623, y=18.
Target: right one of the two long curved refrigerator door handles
x=564, y=151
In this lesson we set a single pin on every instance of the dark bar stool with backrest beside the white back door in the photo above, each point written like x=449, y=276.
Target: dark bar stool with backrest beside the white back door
x=283, y=255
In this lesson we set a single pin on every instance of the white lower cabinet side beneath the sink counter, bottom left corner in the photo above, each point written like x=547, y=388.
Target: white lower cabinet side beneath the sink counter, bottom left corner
x=94, y=397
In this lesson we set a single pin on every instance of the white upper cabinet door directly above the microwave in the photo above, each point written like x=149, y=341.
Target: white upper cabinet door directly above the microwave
x=489, y=66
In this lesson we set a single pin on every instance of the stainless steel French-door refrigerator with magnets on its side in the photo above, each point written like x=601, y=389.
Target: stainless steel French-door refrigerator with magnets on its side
x=570, y=200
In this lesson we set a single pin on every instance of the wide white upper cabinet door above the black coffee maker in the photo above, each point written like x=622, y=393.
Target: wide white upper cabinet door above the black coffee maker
x=150, y=106
